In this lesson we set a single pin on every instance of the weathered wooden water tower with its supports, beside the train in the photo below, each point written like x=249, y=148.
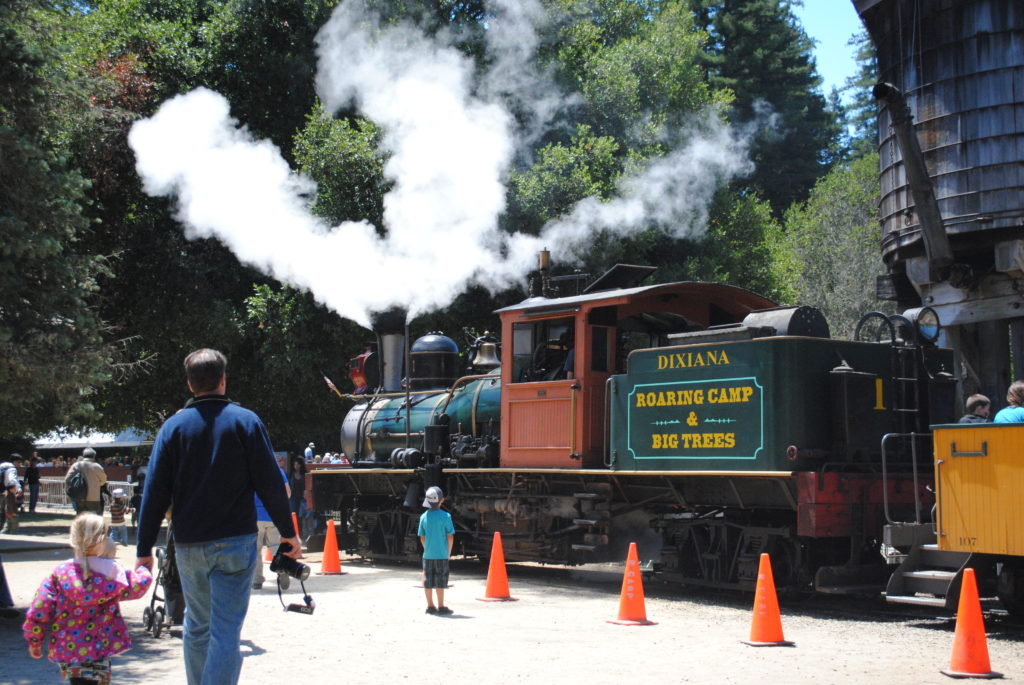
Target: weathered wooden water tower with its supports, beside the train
x=951, y=118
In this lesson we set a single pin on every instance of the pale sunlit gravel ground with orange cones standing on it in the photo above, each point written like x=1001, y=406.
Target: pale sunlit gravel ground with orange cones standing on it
x=370, y=627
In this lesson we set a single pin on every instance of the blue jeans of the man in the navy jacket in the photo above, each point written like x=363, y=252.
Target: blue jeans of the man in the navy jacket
x=217, y=580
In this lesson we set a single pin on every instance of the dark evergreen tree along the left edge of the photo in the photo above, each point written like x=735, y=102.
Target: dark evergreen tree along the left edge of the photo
x=51, y=336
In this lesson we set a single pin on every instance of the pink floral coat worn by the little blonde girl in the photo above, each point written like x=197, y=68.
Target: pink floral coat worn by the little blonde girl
x=80, y=618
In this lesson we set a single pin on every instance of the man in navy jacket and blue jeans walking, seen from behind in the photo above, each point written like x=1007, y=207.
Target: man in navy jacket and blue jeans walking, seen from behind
x=207, y=461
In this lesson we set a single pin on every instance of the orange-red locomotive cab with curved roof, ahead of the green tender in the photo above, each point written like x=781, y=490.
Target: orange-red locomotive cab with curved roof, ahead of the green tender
x=564, y=351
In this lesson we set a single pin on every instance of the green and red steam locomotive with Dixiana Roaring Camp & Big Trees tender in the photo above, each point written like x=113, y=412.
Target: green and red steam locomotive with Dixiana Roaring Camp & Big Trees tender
x=699, y=420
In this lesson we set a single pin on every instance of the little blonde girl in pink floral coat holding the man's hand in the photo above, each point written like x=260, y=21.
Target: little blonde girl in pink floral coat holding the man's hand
x=76, y=610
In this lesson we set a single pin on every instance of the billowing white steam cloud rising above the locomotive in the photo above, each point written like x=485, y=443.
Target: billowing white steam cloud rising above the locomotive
x=450, y=142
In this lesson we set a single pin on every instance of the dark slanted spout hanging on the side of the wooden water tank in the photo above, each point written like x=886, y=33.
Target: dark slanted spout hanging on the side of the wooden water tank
x=937, y=247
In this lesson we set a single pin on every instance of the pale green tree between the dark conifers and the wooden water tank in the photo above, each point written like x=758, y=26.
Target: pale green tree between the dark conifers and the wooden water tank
x=829, y=251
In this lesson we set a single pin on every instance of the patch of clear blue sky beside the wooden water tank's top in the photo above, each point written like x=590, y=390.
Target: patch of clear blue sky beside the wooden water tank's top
x=831, y=24
